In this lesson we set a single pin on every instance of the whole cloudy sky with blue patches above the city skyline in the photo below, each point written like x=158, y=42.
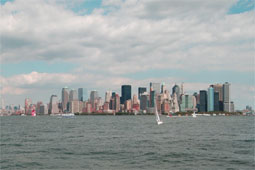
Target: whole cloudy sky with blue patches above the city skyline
x=103, y=44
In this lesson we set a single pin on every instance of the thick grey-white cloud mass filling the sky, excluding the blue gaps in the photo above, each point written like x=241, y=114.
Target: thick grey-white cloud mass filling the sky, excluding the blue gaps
x=124, y=37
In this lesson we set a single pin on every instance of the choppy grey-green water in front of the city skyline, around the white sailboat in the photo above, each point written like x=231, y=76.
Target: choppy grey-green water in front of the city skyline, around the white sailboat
x=127, y=142
